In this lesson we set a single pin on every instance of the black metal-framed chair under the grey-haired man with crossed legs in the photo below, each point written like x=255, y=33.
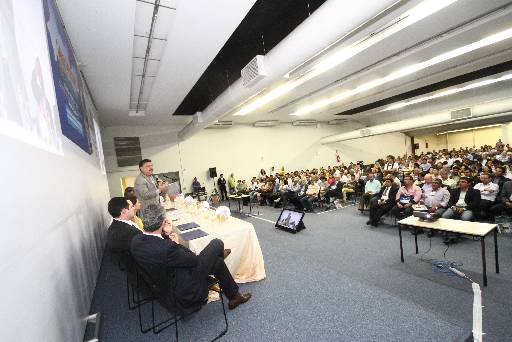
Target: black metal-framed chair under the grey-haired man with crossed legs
x=165, y=295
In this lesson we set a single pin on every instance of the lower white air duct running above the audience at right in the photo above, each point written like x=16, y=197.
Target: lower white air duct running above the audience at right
x=479, y=111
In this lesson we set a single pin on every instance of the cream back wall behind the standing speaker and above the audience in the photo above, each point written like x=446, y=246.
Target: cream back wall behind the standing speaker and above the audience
x=243, y=150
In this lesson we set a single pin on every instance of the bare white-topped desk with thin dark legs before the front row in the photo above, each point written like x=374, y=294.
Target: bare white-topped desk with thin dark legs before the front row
x=478, y=229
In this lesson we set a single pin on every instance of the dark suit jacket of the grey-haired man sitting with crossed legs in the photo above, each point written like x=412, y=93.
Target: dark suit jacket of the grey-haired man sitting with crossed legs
x=161, y=257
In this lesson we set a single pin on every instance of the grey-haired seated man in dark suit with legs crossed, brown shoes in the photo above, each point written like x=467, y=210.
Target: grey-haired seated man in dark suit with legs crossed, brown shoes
x=158, y=256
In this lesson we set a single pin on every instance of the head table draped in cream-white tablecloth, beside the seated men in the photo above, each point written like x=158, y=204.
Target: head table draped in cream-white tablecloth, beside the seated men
x=246, y=259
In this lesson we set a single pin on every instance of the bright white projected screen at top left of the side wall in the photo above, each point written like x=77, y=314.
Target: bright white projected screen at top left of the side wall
x=28, y=107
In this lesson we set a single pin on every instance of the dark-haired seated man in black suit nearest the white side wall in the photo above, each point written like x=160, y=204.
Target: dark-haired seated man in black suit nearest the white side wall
x=122, y=229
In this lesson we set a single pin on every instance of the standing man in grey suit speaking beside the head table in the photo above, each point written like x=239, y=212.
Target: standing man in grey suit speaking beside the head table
x=148, y=187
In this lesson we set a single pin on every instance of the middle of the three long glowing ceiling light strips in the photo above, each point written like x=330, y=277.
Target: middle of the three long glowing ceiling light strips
x=493, y=39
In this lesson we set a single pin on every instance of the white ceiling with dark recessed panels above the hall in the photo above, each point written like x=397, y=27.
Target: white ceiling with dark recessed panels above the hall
x=203, y=37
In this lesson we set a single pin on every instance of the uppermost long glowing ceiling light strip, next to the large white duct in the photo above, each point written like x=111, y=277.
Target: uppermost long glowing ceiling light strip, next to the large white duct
x=415, y=14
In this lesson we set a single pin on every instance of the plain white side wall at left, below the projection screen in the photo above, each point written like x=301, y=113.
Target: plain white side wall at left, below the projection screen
x=54, y=220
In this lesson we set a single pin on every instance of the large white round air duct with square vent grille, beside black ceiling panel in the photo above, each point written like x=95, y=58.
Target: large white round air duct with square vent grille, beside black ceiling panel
x=327, y=24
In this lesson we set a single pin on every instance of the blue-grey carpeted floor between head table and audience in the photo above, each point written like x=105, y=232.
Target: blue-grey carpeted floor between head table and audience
x=339, y=280
